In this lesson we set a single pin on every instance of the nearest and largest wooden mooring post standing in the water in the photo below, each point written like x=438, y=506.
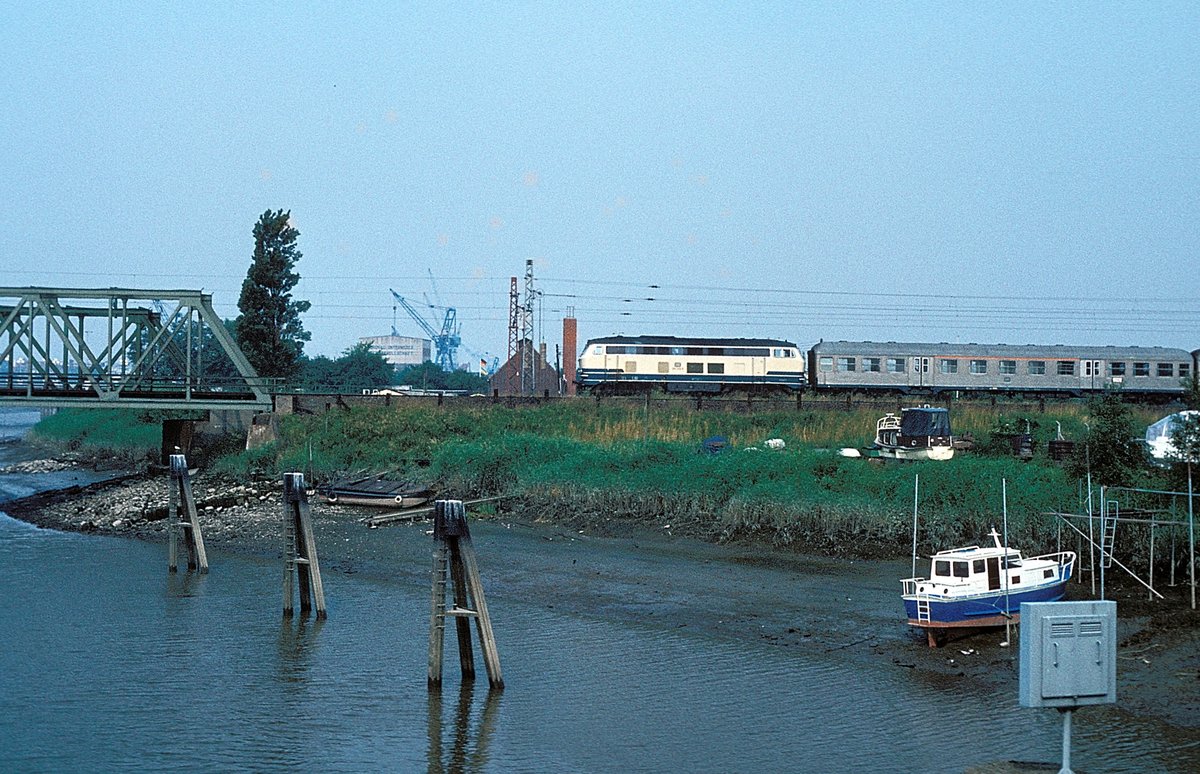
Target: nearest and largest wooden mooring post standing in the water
x=454, y=557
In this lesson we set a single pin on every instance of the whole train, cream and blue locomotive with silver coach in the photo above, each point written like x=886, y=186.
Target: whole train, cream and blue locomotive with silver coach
x=632, y=364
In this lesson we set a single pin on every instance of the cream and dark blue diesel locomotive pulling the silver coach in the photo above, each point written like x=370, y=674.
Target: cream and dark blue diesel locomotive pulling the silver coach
x=627, y=364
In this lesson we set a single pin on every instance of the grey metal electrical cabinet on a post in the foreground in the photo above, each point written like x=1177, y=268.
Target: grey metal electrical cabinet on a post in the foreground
x=1069, y=655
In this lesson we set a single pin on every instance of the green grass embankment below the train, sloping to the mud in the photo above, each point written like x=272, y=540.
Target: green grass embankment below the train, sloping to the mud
x=587, y=464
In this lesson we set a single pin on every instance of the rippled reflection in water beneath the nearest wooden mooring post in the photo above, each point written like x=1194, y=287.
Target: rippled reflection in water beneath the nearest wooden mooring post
x=469, y=741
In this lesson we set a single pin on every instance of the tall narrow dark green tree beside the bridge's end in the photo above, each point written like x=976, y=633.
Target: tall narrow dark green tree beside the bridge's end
x=269, y=328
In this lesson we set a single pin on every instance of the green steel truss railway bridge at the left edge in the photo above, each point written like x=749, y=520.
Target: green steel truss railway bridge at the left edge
x=122, y=349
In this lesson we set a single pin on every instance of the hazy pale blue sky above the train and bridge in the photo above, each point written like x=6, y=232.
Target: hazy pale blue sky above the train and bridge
x=958, y=172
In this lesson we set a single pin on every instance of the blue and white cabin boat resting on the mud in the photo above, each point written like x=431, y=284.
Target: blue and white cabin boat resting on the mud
x=982, y=587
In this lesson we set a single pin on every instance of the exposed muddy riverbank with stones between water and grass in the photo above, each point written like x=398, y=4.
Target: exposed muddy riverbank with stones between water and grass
x=631, y=572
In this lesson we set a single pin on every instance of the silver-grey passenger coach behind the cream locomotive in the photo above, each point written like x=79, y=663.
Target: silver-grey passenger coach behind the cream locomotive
x=905, y=368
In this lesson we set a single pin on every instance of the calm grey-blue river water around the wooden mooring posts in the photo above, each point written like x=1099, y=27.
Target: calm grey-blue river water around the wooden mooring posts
x=110, y=663
